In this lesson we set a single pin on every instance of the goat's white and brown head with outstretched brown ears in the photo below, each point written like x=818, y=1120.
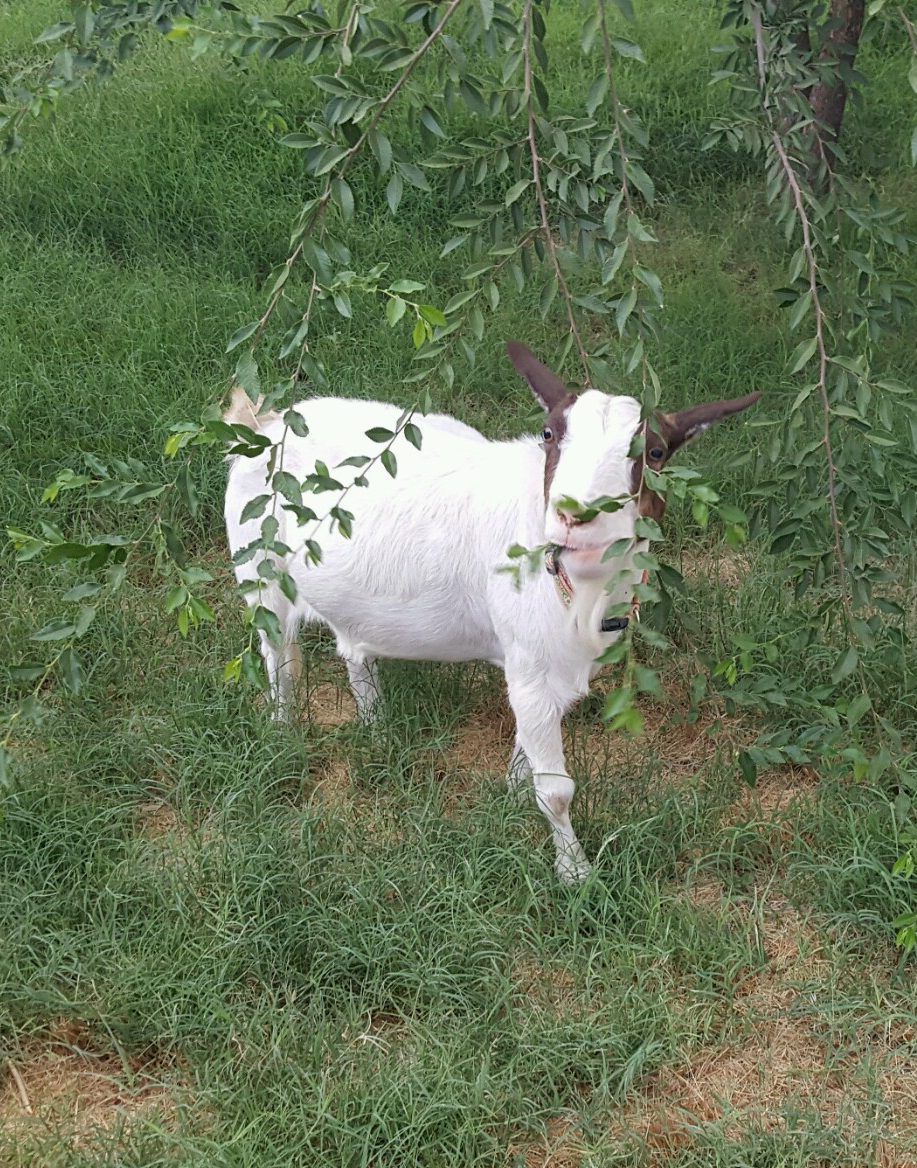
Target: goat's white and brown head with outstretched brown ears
x=588, y=440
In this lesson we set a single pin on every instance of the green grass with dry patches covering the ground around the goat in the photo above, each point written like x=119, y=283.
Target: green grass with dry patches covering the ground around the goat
x=235, y=944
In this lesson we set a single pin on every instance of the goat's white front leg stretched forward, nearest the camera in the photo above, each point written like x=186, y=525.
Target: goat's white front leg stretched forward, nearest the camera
x=539, y=738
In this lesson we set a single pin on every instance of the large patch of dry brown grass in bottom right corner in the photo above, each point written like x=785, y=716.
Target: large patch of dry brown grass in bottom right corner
x=779, y=1059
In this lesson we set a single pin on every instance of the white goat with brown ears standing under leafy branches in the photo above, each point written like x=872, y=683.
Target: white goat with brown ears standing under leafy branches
x=420, y=578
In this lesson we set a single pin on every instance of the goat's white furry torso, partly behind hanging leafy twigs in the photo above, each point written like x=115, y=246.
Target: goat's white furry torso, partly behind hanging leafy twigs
x=416, y=578
